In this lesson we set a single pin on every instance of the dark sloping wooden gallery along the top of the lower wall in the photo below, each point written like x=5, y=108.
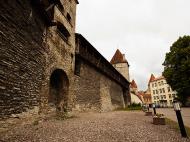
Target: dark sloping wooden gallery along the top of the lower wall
x=86, y=52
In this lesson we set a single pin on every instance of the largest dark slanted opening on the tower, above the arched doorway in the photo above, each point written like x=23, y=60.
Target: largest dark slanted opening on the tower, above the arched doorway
x=62, y=31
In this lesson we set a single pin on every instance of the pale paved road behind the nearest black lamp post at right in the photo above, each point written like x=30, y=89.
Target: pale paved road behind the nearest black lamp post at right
x=170, y=113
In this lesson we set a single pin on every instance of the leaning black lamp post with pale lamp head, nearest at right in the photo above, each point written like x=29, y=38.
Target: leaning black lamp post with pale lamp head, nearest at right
x=179, y=118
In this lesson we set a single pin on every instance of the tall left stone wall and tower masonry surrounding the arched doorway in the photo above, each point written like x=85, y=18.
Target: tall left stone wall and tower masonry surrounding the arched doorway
x=31, y=49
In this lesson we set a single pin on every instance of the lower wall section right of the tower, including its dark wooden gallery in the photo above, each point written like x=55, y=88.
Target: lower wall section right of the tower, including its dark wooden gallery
x=100, y=86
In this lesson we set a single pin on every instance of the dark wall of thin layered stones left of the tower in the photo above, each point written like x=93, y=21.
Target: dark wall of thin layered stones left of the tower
x=22, y=57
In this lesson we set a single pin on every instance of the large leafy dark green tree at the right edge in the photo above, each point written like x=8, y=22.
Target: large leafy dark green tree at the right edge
x=177, y=68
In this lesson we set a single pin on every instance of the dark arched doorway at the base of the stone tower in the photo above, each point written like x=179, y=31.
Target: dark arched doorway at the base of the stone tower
x=58, y=93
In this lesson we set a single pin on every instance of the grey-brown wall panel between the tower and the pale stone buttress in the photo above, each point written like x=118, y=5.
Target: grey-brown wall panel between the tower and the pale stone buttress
x=88, y=93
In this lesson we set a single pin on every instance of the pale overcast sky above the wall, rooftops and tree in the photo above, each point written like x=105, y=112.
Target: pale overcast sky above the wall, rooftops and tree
x=143, y=30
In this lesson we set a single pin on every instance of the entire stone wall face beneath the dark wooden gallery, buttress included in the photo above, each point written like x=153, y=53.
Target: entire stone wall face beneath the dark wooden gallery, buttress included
x=96, y=92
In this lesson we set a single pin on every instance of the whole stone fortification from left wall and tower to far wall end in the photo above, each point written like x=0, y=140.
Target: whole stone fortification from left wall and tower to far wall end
x=37, y=62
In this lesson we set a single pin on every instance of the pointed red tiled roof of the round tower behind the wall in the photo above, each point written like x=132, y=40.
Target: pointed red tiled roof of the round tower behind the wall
x=118, y=58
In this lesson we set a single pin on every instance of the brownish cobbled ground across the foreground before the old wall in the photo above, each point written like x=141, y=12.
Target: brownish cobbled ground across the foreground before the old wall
x=118, y=126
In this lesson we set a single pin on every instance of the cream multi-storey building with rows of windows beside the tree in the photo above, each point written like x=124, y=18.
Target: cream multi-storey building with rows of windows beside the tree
x=161, y=93
